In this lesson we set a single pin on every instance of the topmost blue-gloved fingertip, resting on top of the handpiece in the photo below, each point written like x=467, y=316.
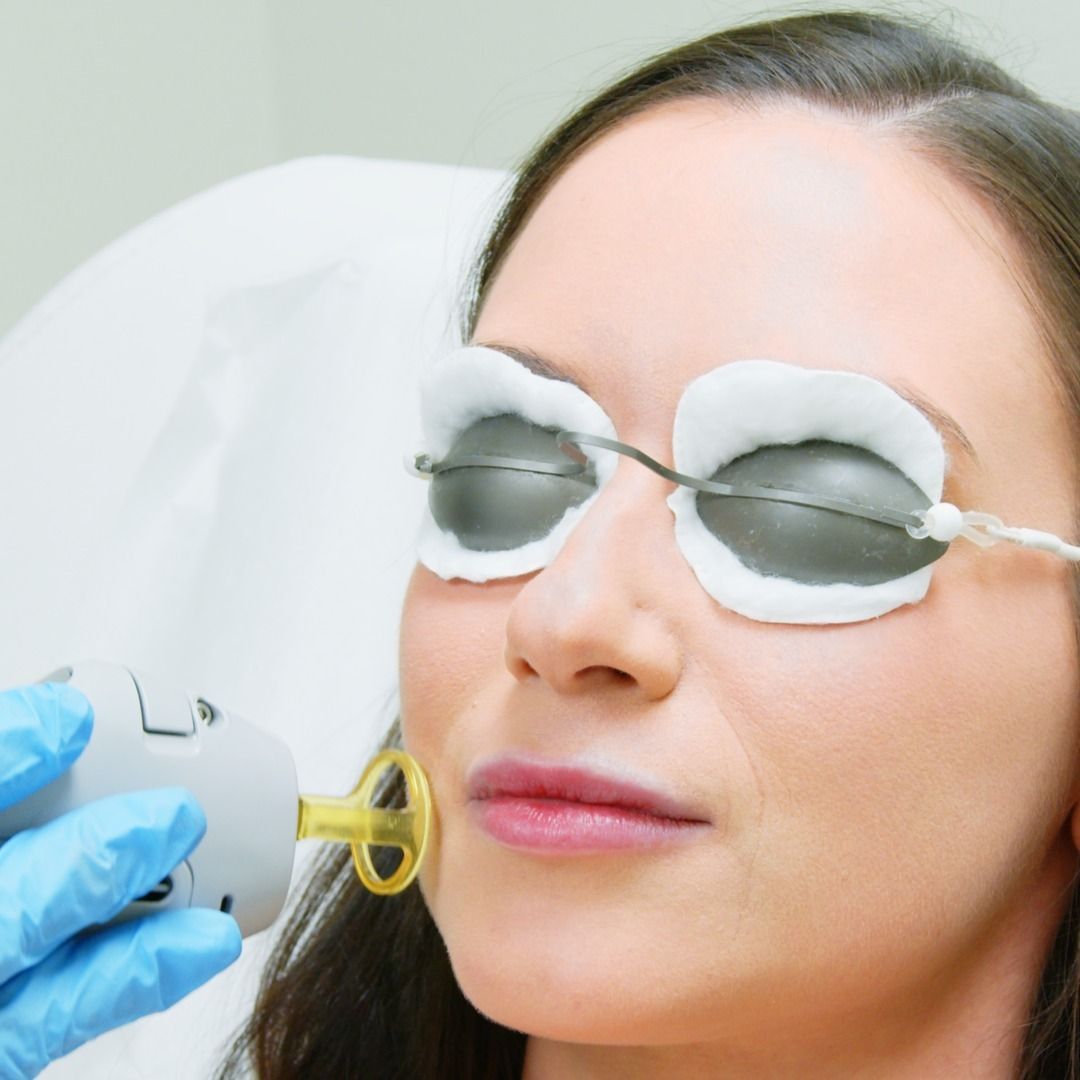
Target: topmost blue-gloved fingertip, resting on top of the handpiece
x=44, y=728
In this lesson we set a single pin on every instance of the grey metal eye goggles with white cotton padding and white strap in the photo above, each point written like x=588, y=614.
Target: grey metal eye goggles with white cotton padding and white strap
x=805, y=496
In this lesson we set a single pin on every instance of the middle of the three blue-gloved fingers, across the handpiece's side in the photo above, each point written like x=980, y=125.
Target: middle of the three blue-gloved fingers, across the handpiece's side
x=87, y=866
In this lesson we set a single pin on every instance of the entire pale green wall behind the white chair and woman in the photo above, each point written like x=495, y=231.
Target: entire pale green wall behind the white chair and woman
x=114, y=110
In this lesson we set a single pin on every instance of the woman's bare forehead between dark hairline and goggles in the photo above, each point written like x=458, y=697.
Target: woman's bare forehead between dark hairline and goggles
x=697, y=234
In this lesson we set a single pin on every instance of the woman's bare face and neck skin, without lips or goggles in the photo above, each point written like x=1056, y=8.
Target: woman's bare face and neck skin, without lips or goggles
x=893, y=801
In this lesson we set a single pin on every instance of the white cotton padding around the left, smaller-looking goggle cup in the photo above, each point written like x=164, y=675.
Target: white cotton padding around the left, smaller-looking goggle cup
x=469, y=385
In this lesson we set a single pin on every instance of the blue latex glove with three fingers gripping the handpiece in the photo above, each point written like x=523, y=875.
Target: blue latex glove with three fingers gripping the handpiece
x=79, y=870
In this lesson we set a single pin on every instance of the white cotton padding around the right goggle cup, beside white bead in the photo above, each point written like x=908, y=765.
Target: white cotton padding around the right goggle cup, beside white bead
x=748, y=404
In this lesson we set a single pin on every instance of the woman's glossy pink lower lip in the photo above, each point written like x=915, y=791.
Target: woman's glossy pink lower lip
x=565, y=828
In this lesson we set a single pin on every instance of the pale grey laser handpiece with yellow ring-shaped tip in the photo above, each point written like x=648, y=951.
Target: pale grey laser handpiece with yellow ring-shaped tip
x=148, y=734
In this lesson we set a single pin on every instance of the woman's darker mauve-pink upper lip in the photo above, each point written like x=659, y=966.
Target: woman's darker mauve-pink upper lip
x=526, y=778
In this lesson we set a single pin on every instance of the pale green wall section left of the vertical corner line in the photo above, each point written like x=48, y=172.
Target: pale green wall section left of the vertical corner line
x=114, y=110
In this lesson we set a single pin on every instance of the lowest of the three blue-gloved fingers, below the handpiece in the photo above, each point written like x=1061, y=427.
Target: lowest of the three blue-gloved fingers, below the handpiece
x=107, y=979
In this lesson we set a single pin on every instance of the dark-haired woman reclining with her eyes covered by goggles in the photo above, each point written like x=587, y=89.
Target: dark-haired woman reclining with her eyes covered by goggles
x=874, y=867
